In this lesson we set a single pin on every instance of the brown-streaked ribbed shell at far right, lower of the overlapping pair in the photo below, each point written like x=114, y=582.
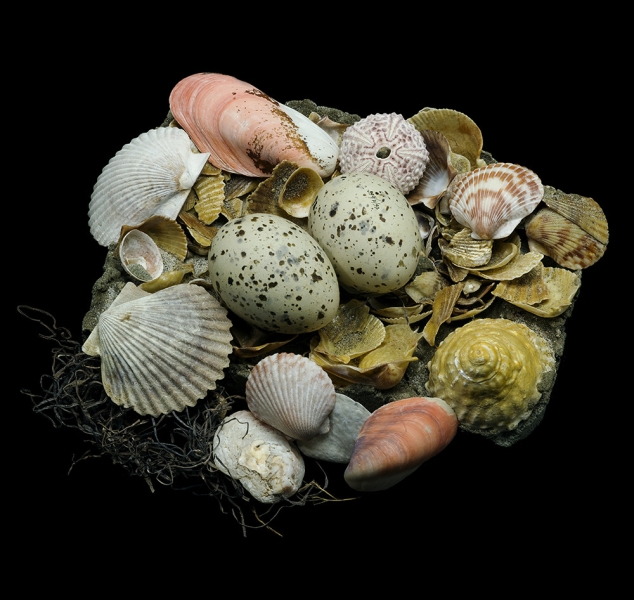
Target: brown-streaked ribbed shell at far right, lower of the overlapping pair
x=567, y=244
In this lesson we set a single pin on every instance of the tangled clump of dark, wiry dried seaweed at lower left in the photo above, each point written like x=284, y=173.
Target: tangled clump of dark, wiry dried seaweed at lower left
x=174, y=450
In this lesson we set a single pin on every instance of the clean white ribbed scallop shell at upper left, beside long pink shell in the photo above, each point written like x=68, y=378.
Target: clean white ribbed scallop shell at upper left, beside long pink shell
x=151, y=175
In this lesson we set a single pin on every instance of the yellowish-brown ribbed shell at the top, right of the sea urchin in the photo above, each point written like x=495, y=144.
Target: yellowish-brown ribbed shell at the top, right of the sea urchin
x=463, y=135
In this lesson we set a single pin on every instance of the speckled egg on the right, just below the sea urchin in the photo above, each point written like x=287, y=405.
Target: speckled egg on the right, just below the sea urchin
x=369, y=231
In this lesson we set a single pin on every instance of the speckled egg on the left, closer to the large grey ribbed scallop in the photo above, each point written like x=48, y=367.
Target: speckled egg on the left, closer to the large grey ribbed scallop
x=271, y=273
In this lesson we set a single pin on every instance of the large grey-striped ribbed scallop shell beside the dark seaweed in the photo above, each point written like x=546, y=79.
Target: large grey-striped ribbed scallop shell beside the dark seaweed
x=161, y=352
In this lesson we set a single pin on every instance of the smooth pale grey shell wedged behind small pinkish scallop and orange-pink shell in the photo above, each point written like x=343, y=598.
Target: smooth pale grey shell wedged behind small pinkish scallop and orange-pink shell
x=346, y=420
